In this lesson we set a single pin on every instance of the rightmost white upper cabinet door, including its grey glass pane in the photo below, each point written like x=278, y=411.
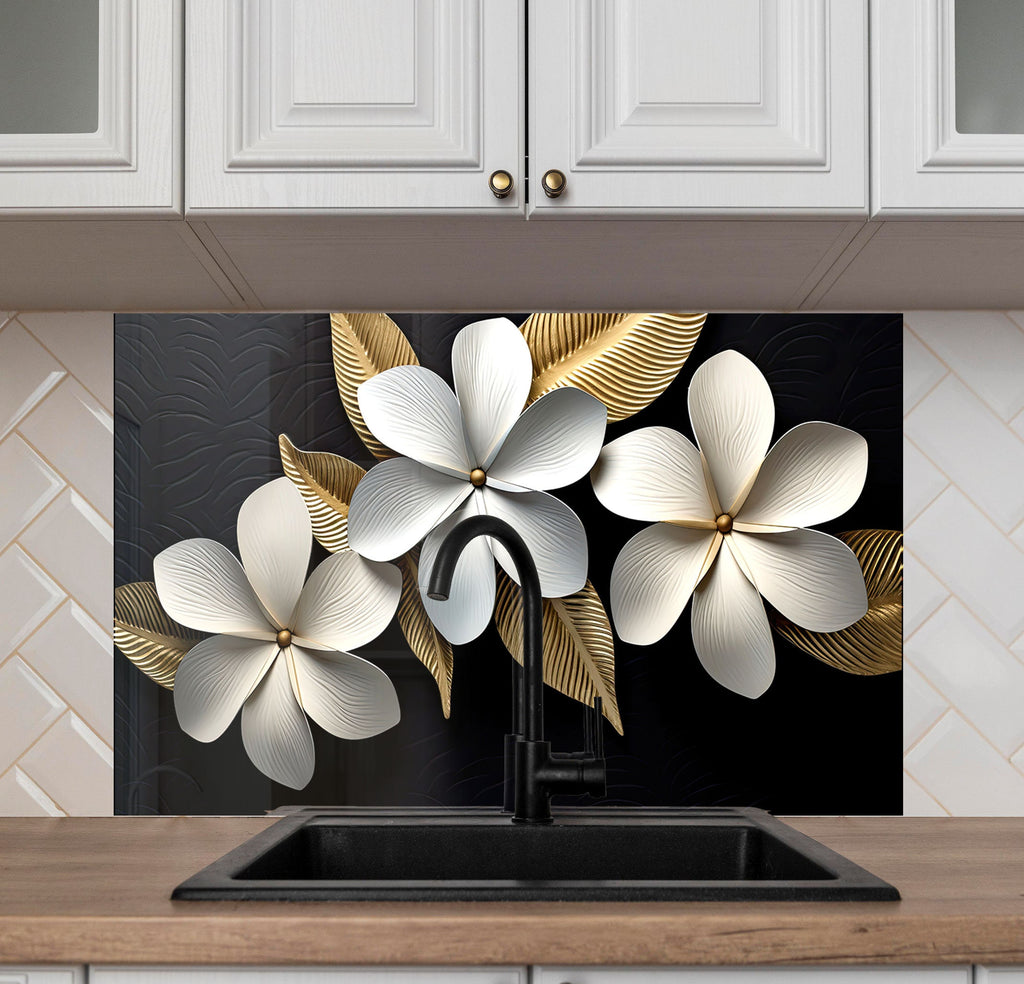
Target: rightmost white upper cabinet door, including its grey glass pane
x=948, y=113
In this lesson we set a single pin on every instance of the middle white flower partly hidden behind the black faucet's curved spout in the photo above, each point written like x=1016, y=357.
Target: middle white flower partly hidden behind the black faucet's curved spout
x=473, y=452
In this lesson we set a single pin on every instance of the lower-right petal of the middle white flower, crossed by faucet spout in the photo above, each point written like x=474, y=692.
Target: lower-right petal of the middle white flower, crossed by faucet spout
x=552, y=533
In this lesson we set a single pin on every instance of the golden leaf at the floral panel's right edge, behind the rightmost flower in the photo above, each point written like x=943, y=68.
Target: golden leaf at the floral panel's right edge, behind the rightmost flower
x=875, y=645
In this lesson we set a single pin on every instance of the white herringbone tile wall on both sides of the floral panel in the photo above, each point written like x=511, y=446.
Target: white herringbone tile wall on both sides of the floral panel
x=964, y=512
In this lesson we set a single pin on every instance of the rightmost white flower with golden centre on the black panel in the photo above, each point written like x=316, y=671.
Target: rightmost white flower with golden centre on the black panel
x=731, y=526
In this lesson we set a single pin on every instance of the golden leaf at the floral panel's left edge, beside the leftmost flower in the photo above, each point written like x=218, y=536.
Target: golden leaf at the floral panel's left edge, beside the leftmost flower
x=148, y=635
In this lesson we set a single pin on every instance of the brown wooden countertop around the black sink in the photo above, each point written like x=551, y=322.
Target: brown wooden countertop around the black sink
x=97, y=891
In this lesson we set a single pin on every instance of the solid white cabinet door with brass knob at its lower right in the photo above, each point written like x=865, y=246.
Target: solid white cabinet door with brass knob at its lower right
x=319, y=106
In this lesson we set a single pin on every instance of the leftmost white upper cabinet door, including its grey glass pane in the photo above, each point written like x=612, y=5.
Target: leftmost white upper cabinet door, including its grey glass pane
x=91, y=111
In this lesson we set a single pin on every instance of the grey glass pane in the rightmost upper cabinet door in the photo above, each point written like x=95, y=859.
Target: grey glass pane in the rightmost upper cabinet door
x=990, y=46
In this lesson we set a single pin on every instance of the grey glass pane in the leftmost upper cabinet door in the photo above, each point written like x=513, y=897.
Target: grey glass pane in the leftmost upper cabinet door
x=50, y=59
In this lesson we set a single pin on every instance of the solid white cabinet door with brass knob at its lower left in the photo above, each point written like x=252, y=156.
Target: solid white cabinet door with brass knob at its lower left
x=738, y=107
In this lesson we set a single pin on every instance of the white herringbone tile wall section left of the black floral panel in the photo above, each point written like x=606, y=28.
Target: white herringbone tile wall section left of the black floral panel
x=57, y=565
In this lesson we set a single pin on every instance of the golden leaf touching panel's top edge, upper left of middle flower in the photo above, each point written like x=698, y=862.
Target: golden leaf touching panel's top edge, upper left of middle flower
x=365, y=346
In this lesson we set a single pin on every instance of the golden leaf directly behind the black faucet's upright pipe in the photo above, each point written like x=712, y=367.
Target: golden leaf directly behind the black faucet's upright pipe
x=579, y=649
